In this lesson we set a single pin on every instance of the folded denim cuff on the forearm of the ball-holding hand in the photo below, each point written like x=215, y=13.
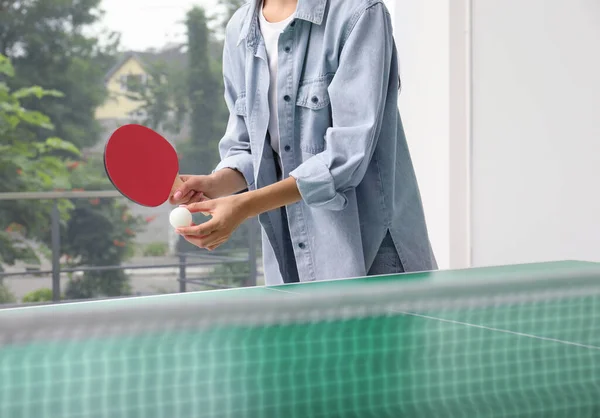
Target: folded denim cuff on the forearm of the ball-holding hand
x=316, y=185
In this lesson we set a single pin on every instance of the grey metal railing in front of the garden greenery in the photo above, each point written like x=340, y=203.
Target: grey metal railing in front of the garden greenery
x=185, y=259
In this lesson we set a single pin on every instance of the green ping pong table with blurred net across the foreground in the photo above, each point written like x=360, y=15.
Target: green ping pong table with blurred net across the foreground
x=509, y=341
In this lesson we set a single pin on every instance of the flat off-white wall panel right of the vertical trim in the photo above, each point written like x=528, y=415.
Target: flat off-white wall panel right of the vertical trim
x=536, y=131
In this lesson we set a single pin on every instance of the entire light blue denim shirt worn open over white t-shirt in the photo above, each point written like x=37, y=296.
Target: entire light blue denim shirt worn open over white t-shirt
x=341, y=138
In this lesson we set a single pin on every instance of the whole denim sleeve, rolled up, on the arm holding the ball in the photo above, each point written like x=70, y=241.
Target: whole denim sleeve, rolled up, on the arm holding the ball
x=358, y=93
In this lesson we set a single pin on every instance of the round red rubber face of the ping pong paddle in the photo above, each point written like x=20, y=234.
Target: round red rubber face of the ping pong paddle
x=141, y=164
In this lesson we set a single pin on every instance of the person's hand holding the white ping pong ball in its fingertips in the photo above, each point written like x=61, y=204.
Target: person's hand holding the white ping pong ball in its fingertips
x=227, y=213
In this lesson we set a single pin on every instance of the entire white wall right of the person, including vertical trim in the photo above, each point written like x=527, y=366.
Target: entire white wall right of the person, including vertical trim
x=501, y=104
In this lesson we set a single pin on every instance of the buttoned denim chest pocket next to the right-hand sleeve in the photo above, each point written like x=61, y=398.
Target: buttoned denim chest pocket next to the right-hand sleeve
x=313, y=113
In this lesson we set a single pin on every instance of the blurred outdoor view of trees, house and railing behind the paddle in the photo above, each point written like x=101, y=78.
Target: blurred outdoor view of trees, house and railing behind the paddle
x=71, y=72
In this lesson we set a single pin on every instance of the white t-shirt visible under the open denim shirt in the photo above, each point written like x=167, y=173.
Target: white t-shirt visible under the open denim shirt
x=270, y=32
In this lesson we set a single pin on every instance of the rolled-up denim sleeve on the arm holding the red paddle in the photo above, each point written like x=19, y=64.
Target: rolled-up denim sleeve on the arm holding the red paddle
x=234, y=147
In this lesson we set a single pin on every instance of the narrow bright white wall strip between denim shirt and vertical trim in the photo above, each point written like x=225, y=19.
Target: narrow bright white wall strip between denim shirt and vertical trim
x=421, y=32
